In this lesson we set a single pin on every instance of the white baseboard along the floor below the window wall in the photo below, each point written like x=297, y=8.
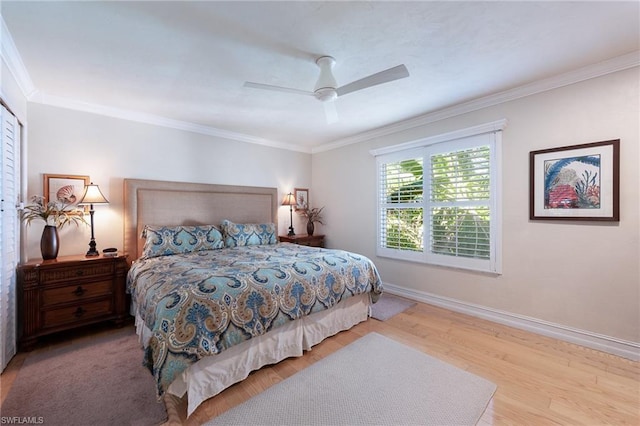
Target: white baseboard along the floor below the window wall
x=612, y=345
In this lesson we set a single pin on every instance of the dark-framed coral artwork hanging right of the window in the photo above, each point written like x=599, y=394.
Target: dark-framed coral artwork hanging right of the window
x=577, y=182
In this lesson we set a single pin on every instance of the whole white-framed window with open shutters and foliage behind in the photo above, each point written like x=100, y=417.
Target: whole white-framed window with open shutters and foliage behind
x=438, y=201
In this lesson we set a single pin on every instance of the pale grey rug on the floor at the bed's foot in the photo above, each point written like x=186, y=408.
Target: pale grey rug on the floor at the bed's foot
x=372, y=381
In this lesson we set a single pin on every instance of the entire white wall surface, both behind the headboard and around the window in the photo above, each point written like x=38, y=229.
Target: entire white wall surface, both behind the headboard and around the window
x=579, y=275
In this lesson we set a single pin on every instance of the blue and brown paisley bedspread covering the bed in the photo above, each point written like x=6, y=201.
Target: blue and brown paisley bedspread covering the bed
x=201, y=303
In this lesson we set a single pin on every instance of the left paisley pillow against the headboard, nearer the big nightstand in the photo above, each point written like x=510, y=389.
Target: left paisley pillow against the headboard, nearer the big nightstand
x=168, y=240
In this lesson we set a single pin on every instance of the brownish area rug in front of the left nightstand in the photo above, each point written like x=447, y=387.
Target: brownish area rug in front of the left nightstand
x=96, y=381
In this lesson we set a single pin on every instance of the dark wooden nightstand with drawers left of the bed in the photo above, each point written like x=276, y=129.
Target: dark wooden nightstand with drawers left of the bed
x=69, y=292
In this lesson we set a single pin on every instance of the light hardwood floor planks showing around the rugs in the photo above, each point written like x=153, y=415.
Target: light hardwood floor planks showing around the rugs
x=541, y=381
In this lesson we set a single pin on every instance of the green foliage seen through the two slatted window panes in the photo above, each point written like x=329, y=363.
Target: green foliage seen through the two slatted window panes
x=459, y=197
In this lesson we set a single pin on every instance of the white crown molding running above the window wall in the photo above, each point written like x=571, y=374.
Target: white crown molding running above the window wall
x=616, y=64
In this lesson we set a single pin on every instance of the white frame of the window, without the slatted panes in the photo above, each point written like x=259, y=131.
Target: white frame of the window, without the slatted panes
x=486, y=134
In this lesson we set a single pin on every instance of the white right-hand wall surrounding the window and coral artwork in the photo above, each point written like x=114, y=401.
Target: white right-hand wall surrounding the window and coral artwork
x=579, y=275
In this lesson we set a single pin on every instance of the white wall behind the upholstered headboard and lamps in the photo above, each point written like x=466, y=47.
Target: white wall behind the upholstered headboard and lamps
x=63, y=141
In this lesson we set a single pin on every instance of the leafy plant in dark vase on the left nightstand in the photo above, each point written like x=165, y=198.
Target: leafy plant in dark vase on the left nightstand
x=55, y=215
